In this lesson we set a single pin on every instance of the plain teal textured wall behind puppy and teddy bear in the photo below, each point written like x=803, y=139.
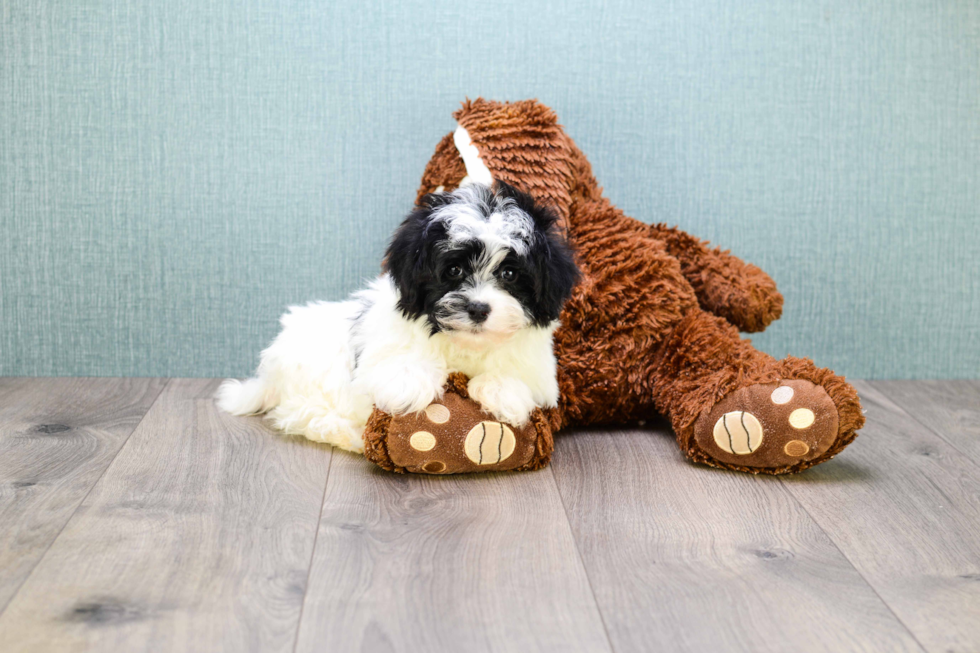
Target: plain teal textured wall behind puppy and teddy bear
x=173, y=174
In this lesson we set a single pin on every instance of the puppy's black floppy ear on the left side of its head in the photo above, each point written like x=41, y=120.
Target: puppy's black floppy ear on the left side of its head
x=407, y=258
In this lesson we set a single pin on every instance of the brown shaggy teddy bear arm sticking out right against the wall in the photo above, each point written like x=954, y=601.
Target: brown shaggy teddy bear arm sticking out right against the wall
x=725, y=285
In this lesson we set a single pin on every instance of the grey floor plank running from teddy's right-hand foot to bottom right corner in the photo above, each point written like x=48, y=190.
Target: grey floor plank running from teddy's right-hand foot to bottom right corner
x=904, y=506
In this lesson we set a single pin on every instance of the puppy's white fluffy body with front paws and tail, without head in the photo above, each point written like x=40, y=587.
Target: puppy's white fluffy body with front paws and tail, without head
x=309, y=383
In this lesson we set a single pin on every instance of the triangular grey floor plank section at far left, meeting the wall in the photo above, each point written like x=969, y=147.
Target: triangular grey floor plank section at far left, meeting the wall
x=57, y=437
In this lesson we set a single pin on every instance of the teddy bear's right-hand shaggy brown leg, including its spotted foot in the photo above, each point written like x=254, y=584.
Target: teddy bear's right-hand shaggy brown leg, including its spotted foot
x=735, y=407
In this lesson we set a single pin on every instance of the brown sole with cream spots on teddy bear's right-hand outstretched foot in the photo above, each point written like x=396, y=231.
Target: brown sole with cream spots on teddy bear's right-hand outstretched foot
x=769, y=425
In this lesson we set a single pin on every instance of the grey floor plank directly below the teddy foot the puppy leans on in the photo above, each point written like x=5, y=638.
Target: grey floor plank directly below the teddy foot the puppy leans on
x=451, y=563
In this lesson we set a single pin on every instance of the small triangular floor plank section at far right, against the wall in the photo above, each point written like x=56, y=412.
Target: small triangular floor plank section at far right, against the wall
x=950, y=409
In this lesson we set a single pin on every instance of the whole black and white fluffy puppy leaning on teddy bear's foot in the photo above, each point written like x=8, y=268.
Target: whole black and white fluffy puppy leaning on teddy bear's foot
x=473, y=282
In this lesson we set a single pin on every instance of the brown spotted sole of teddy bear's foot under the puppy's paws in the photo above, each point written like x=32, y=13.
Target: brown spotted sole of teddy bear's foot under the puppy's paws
x=455, y=435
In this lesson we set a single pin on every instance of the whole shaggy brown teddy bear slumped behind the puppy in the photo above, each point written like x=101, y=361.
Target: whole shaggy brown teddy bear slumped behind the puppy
x=652, y=328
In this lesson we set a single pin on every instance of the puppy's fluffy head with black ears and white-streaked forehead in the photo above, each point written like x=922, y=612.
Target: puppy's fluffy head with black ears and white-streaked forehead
x=481, y=261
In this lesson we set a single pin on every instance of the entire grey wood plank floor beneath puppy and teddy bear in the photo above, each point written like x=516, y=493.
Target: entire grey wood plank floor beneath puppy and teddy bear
x=136, y=517
